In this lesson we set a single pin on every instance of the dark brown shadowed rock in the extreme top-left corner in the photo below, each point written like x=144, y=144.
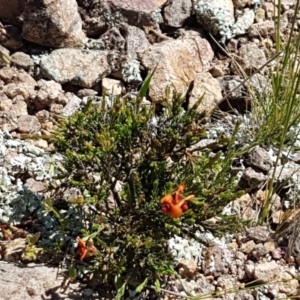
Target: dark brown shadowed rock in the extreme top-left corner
x=11, y=10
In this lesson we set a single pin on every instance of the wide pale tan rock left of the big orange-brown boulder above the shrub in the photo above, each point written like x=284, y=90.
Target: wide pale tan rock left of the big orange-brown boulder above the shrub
x=83, y=68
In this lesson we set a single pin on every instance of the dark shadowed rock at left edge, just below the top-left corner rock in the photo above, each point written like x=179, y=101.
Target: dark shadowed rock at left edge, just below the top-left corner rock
x=10, y=37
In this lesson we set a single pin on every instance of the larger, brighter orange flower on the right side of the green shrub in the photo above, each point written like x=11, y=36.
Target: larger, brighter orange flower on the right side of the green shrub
x=175, y=204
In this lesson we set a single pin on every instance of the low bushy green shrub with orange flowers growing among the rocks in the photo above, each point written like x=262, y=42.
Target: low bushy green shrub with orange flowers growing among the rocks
x=125, y=158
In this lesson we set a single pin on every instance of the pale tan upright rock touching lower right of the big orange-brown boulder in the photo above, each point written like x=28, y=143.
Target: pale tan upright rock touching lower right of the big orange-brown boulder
x=209, y=88
